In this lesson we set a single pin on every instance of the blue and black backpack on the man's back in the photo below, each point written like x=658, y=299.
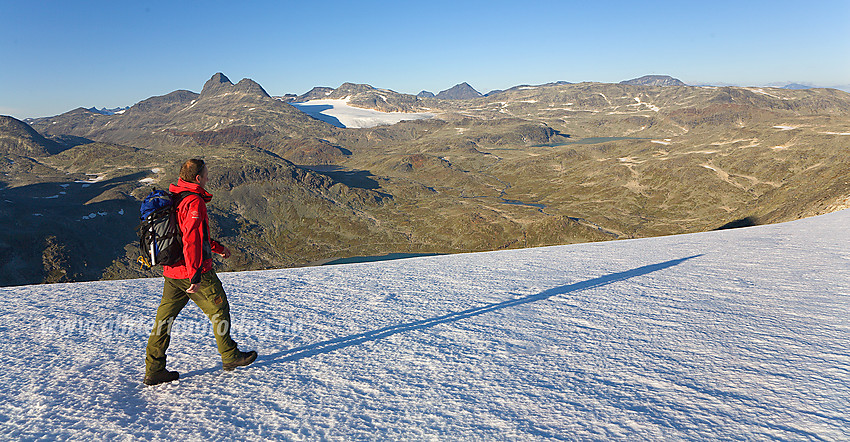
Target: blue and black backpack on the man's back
x=160, y=239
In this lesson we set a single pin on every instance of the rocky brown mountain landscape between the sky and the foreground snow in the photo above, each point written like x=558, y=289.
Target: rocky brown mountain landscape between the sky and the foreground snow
x=532, y=165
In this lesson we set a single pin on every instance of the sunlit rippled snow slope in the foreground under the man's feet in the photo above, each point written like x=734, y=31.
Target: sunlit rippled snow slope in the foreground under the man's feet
x=734, y=334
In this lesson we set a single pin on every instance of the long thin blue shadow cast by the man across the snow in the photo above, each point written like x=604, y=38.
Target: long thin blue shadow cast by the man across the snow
x=331, y=345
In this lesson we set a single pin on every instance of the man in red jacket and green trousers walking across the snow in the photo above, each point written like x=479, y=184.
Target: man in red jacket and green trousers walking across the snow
x=192, y=278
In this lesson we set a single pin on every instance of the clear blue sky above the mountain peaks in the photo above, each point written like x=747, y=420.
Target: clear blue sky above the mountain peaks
x=59, y=55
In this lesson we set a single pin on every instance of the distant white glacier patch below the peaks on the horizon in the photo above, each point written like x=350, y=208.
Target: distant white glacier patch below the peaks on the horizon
x=341, y=114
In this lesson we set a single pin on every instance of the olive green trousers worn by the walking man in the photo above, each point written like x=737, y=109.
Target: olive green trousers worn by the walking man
x=212, y=300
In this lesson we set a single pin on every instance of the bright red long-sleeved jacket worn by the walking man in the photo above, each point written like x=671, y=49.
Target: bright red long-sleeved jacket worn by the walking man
x=194, y=223
